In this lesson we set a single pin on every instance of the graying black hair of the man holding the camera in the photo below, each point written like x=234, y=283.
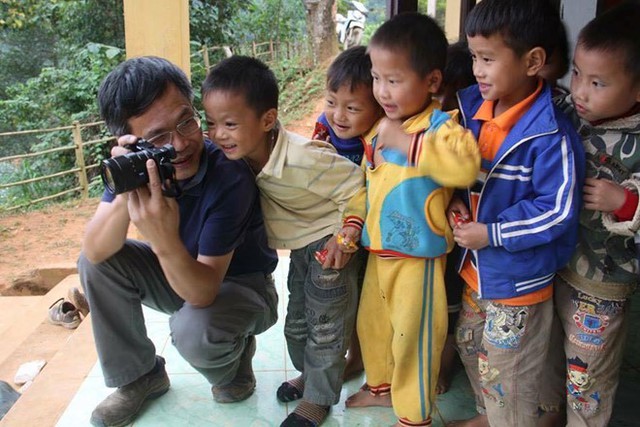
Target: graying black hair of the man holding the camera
x=130, y=89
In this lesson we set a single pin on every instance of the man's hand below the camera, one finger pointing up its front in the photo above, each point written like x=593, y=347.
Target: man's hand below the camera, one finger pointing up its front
x=156, y=216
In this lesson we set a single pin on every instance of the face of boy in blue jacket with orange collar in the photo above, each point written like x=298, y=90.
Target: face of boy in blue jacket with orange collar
x=502, y=75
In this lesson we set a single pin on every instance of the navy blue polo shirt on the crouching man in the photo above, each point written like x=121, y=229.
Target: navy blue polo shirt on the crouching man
x=220, y=212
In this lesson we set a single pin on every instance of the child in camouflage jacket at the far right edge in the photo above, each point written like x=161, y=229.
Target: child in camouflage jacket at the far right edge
x=592, y=293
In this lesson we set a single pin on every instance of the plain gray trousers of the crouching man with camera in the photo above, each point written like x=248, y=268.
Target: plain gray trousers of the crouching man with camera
x=211, y=339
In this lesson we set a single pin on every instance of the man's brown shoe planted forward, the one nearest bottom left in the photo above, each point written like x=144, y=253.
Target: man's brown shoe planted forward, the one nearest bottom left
x=122, y=406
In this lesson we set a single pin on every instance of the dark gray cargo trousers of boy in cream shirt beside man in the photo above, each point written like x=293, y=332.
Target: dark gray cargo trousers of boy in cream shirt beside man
x=320, y=319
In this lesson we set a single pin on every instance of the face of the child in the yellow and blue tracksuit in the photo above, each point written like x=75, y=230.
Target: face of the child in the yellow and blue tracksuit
x=400, y=91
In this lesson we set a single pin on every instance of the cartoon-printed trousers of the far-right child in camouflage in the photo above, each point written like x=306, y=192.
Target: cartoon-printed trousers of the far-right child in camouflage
x=584, y=364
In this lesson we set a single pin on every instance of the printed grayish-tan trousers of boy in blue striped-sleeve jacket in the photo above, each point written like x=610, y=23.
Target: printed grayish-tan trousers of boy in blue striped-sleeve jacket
x=503, y=349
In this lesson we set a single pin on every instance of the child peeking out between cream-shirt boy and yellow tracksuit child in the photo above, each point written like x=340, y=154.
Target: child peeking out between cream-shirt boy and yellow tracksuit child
x=349, y=112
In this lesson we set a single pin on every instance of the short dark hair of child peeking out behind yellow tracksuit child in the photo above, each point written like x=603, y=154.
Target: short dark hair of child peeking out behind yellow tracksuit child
x=352, y=67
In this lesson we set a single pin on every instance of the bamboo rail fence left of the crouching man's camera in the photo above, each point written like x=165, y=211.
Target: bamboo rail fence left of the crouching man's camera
x=77, y=144
